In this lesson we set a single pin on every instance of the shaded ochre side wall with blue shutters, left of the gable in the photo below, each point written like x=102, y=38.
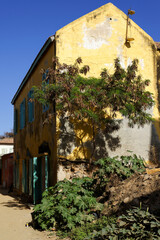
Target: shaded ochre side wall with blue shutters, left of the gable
x=35, y=133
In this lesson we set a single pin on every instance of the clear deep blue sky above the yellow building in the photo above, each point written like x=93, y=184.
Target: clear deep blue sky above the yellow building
x=25, y=26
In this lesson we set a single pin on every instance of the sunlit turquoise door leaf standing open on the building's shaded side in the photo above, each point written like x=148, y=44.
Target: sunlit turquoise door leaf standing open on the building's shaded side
x=37, y=180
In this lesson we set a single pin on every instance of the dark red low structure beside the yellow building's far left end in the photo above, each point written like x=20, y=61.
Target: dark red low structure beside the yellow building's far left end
x=7, y=170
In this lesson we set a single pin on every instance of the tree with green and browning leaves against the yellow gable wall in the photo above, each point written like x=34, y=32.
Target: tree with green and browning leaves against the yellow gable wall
x=98, y=100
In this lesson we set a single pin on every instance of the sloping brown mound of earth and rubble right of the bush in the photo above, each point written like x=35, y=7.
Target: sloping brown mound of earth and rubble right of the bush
x=139, y=190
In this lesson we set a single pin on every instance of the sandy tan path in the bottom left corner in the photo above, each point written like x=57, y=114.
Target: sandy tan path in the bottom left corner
x=13, y=218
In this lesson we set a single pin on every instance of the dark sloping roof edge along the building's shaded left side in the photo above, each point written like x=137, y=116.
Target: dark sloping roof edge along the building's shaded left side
x=39, y=55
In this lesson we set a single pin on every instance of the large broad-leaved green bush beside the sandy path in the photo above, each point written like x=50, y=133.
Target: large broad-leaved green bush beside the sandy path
x=66, y=205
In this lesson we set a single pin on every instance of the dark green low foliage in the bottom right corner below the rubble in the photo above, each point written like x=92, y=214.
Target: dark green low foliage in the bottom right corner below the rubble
x=135, y=224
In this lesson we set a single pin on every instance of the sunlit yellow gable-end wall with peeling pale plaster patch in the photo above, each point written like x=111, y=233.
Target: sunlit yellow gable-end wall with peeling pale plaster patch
x=98, y=38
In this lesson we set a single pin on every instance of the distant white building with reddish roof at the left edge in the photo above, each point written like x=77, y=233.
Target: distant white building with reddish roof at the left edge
x=6, y=146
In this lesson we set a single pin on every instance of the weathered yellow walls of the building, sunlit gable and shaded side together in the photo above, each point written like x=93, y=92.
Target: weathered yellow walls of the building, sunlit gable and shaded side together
x=98, y=38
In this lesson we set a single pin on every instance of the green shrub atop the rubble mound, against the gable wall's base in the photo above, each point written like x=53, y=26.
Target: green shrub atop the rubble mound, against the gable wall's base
x=123, y=167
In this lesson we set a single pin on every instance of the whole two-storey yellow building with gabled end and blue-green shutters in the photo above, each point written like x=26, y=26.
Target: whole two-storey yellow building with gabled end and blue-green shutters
x=98, y=38
